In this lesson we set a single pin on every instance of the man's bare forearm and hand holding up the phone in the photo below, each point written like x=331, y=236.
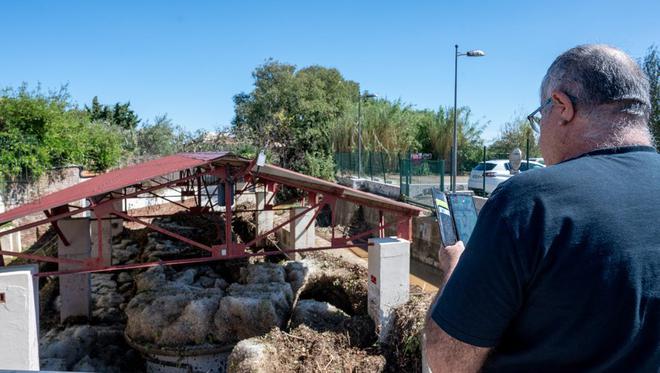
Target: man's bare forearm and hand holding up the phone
x=444, y=353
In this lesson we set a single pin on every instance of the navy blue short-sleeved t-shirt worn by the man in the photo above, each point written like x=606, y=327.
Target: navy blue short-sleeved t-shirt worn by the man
x=562, y=272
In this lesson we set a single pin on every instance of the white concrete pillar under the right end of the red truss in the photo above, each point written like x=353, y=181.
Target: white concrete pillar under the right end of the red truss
x=389, y=281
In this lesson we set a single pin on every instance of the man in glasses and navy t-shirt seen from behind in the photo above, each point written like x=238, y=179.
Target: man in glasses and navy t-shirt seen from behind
x=562, y=271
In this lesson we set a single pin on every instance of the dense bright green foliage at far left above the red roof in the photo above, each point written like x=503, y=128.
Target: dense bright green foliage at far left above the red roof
x=40, y=130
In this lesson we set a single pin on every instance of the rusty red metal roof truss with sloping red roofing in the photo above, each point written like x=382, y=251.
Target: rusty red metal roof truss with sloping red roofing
x=194, y=173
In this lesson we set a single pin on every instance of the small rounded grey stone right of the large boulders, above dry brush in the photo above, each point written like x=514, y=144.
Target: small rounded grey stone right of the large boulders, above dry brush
x=319, y=316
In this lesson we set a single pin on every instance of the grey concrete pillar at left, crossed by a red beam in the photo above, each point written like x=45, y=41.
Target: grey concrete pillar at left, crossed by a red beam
x=75, y=290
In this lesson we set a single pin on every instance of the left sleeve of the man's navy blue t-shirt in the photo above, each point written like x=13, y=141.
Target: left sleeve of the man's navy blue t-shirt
x=486, y=289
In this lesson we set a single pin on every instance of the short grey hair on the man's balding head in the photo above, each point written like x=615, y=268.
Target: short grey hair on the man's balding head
x=604, y=83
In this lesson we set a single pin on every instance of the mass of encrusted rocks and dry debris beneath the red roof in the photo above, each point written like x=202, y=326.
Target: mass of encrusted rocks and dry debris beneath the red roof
x=307, y=315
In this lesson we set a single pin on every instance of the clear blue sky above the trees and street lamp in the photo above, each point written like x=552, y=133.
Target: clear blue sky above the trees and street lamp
x=188, y=58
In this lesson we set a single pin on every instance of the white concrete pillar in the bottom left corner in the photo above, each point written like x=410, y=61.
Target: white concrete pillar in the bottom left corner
x=19, y=318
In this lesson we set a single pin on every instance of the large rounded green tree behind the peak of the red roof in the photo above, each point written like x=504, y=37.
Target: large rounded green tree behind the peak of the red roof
x=291, y=113
